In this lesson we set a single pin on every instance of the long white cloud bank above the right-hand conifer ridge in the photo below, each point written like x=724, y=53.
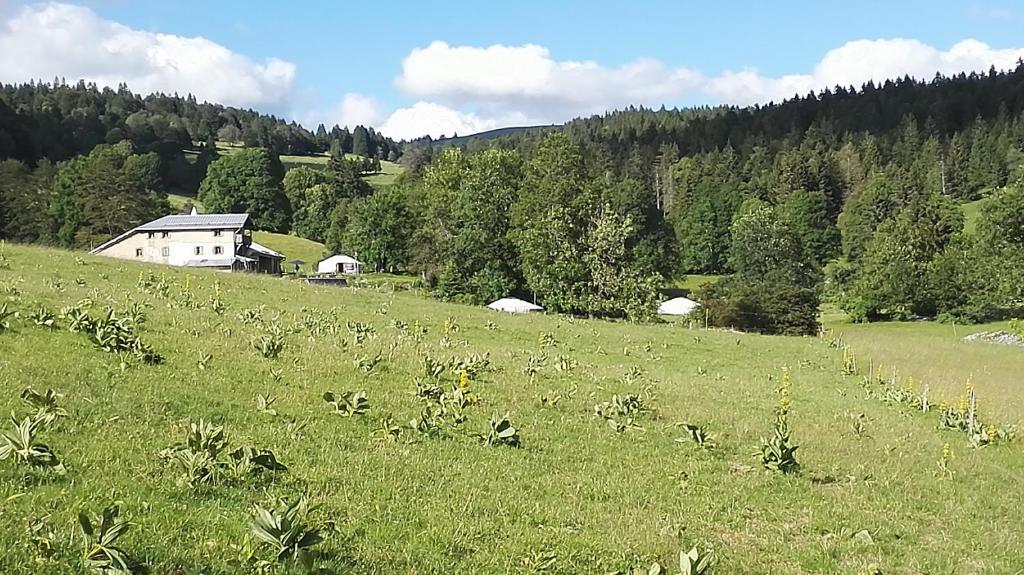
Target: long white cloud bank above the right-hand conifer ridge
x=472, y=89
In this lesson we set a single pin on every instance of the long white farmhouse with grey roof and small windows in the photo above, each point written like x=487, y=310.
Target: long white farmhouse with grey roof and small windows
x=210, y=241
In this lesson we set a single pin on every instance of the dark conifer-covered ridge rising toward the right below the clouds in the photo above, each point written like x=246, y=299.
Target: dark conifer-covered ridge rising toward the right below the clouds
x=942, y=108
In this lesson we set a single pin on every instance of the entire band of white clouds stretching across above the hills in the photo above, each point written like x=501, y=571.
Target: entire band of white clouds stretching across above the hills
x=456, y=90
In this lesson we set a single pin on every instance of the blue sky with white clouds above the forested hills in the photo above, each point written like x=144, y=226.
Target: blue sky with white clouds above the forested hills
x=412, y=69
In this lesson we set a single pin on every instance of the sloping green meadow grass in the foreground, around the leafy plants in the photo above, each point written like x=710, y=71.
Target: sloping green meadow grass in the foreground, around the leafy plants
x=596, y=501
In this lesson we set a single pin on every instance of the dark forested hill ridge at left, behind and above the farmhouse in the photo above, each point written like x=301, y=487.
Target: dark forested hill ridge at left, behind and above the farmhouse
x=61, y=121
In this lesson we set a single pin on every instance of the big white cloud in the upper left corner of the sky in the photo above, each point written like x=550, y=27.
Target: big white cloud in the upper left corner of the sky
x=47, y=41
